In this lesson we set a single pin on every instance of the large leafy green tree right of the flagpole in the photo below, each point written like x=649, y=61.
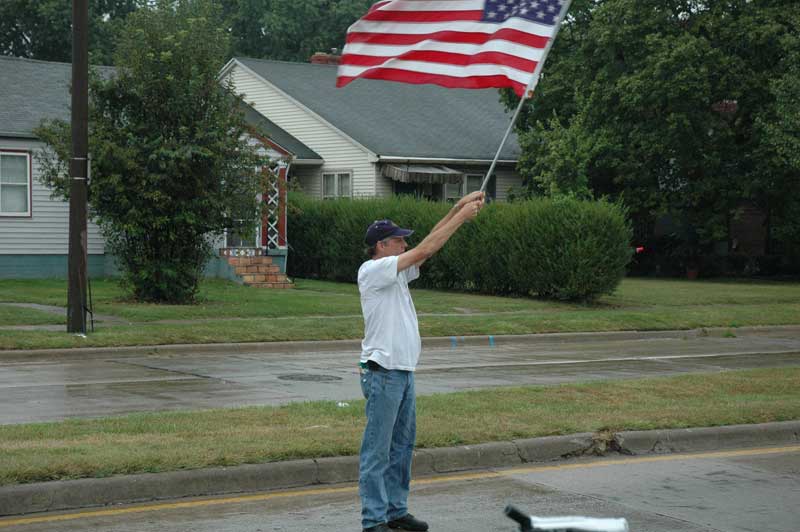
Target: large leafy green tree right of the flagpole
x=672, y=105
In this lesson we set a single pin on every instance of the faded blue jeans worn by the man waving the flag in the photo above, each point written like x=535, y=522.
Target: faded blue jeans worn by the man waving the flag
x=388, y=445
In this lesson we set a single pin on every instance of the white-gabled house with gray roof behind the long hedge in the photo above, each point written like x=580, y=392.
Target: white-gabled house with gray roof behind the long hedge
x=377, y=138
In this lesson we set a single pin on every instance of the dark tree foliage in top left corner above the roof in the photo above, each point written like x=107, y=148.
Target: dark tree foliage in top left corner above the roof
x=42, y=29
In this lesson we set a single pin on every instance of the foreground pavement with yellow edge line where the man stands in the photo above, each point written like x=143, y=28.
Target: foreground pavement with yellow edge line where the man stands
x=749, y=490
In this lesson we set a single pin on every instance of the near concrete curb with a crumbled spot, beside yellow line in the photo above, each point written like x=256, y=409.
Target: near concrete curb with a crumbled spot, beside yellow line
x=126, y=489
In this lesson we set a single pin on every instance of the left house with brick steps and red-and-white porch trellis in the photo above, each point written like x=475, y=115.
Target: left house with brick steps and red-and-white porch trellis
x=34, y=226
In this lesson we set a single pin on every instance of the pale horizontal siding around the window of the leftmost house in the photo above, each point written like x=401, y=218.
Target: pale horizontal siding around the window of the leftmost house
x=46, y=231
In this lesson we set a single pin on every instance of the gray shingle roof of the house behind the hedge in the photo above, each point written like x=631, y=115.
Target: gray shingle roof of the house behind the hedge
x=398, y=119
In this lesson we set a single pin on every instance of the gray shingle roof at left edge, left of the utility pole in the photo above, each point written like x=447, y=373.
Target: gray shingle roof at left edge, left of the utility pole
x=31, y=91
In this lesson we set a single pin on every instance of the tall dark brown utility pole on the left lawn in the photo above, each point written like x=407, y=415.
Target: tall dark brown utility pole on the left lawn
x=78, y=169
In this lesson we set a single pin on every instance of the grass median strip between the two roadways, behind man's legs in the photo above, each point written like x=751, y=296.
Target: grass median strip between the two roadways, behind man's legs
x=155, y=442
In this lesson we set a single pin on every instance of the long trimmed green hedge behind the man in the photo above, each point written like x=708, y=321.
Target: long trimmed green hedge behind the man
x=554, y=248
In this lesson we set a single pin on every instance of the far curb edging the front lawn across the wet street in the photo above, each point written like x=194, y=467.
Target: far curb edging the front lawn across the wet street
x=353, y=345
